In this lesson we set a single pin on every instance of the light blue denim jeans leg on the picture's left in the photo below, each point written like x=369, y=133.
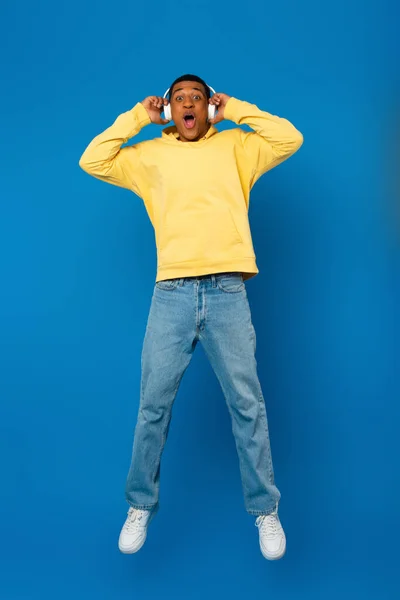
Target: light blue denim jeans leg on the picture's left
x=167, y=350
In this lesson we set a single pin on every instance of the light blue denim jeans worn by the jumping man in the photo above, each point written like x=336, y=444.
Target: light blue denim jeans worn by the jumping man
x=214, y=310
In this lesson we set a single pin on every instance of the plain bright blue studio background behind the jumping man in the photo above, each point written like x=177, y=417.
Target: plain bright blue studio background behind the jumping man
x=78, y=266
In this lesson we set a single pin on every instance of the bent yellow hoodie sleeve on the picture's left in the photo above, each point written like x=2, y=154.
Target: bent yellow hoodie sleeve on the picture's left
x=106, y=160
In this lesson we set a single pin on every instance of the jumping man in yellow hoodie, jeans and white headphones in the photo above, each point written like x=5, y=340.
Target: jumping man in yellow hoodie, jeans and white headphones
x=195, y=183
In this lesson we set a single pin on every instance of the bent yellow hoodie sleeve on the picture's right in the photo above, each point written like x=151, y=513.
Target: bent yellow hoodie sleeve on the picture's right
x=273, y=140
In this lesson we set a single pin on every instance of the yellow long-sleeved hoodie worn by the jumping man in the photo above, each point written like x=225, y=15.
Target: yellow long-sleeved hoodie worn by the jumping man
x=196, y=194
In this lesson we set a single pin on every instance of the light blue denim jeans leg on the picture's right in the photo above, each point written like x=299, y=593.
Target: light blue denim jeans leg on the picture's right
x=229, y=341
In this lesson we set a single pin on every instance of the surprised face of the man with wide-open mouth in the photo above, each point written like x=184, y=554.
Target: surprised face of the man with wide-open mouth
x=189, y=108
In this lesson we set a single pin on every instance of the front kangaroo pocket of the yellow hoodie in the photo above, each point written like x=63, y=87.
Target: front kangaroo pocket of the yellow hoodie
x=209, y=236
